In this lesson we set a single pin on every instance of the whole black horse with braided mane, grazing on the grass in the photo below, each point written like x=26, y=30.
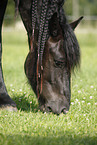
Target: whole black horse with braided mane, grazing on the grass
x=53, y=53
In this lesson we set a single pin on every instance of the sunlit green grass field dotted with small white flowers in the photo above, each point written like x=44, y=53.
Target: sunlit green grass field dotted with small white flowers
x=28, y=126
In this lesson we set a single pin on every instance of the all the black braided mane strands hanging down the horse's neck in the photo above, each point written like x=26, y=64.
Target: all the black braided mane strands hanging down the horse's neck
x=49, y=7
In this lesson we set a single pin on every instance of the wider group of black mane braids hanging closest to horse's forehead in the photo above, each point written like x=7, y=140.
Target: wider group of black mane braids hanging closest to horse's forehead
x=51, y=8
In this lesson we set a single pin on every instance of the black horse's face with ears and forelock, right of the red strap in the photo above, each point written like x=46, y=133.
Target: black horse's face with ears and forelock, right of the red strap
x=61, y=54
